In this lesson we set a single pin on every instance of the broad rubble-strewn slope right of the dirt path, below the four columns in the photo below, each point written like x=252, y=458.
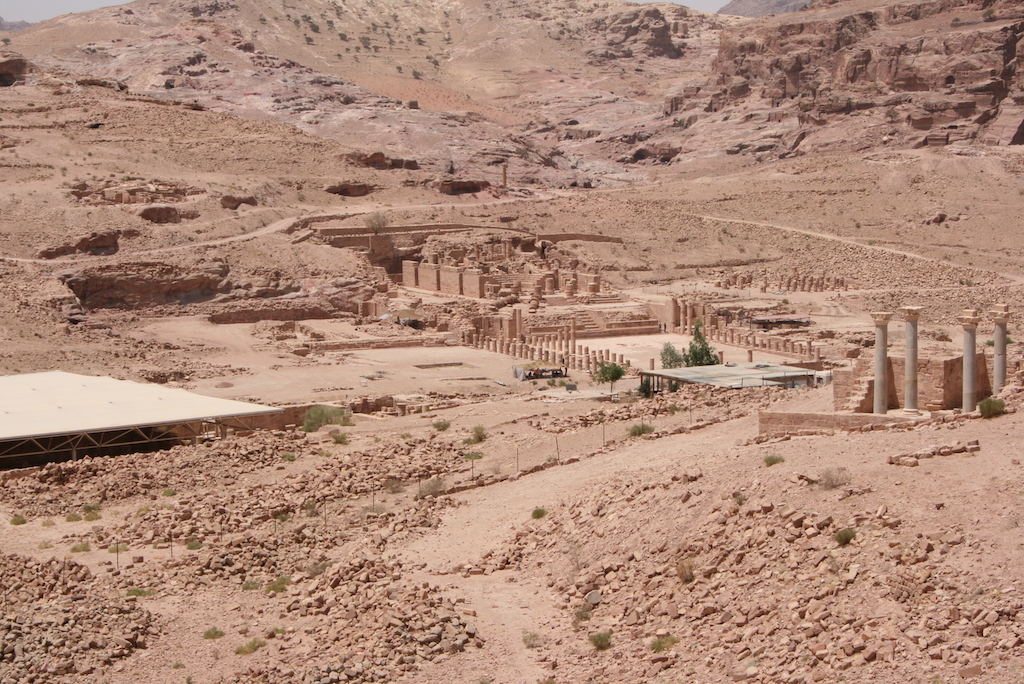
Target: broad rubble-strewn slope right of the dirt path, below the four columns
x=763, y=592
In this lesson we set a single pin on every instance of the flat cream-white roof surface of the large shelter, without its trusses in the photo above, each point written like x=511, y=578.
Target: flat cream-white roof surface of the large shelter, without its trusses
x=58, y=403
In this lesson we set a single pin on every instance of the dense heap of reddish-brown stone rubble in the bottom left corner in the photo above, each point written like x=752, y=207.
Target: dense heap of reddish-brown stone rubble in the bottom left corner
x=59, y=624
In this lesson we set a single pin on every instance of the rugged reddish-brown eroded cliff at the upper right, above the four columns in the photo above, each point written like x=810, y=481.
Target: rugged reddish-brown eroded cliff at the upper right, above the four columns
x=942, y=70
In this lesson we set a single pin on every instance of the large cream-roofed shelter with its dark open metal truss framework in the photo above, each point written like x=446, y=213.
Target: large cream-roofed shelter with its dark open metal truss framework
x=56, y=416
